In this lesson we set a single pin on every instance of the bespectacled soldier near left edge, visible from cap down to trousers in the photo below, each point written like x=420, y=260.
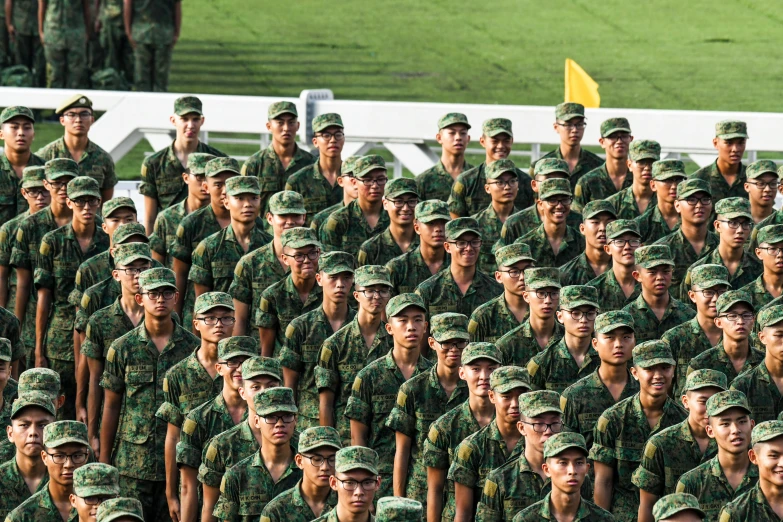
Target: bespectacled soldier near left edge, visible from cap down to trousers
x=60, y=254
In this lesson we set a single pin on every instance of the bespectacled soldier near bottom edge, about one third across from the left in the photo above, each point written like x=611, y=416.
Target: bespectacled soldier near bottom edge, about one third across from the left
x=254, y=481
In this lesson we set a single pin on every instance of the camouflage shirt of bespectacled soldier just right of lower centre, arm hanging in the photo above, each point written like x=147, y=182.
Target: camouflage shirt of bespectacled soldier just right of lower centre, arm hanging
x=421, y=401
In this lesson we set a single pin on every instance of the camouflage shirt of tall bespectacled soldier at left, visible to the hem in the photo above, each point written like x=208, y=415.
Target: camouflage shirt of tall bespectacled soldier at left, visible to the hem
x=135, y=369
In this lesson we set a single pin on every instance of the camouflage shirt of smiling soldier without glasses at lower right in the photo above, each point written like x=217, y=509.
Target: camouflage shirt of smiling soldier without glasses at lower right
x=619, y=438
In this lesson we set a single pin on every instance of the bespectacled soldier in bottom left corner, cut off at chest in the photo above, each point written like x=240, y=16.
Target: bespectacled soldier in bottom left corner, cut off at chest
x=65, y=449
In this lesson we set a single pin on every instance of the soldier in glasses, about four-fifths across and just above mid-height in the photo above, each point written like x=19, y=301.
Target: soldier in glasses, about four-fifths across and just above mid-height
x=617, y=287
